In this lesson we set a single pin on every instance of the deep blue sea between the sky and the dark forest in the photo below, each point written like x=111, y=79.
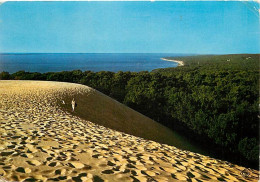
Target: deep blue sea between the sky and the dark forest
x=38, y=62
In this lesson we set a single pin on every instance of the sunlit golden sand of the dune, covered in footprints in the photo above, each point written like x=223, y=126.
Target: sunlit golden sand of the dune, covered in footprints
x=41, y=142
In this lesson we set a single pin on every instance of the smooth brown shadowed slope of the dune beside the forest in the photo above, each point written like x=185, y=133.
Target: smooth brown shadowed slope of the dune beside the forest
x=103, y=110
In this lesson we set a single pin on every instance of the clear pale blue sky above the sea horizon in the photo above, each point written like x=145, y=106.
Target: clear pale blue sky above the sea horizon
x=130, y=27
